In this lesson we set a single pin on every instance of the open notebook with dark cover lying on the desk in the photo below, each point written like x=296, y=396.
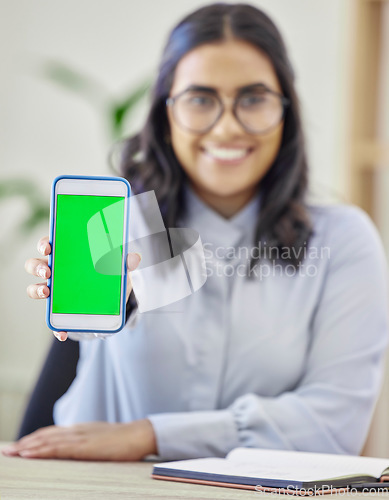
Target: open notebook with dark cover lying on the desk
x=291, y=472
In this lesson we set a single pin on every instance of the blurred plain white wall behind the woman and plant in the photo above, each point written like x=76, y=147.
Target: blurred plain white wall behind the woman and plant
x=45, y=131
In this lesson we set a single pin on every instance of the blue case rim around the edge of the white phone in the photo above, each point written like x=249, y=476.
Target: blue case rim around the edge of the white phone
x=51, y=237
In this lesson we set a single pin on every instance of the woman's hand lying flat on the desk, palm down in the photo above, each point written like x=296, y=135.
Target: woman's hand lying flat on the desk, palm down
x=89, y=441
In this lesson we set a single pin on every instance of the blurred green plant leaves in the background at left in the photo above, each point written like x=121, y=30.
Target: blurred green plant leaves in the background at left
x=115, y=112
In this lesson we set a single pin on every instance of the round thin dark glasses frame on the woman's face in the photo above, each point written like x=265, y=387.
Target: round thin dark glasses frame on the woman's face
x=170, y=101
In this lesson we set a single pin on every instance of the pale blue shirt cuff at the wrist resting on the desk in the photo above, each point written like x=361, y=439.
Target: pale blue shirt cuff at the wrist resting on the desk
x=194, y=434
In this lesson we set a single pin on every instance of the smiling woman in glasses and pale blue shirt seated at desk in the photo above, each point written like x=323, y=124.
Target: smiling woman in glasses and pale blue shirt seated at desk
x=287, y=355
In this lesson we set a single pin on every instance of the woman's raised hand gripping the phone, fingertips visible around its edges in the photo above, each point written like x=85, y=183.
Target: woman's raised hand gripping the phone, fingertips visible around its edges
x=40, y=268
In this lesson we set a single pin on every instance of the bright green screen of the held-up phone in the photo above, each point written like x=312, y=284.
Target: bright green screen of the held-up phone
x=77, y=287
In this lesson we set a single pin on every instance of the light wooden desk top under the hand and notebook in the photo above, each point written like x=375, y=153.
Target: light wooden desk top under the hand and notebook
x=31, y=479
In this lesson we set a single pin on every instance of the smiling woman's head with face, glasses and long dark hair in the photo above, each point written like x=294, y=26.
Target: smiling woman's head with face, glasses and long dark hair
x=226, y=51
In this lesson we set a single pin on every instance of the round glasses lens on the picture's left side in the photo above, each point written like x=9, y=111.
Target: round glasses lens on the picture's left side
x=196, y=110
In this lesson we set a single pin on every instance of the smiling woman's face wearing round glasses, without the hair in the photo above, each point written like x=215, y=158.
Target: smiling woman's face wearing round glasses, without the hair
x=226, y=152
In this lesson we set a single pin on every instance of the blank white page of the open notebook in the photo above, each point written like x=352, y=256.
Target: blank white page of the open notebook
x=301, y=466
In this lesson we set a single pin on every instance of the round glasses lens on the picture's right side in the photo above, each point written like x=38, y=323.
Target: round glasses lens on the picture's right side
x=259, y=110
